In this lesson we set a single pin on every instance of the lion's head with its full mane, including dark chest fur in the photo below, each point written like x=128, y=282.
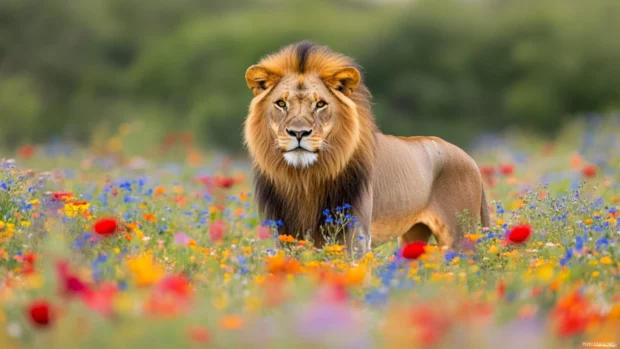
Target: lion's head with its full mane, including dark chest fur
x=310, y=133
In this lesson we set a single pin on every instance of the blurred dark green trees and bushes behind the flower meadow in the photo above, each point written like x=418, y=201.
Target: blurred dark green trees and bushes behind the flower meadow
x=449, y=68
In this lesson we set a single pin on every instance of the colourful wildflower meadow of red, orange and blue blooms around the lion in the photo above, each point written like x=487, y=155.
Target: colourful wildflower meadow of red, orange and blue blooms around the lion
x=101, y=249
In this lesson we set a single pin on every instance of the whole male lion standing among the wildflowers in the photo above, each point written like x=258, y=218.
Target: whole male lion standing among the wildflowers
x=314, y=144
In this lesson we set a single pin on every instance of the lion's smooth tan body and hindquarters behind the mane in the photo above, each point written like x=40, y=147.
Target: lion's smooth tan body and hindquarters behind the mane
x=423, y=181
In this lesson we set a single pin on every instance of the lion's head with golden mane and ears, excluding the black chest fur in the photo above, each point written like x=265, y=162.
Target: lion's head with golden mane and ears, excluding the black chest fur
x=310, y=111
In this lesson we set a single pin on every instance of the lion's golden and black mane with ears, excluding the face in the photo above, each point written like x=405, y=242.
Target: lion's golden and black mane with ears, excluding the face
x=342, y=172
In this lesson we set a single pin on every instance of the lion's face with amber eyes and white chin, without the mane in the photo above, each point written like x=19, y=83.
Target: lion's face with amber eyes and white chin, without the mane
x=302, y=113
